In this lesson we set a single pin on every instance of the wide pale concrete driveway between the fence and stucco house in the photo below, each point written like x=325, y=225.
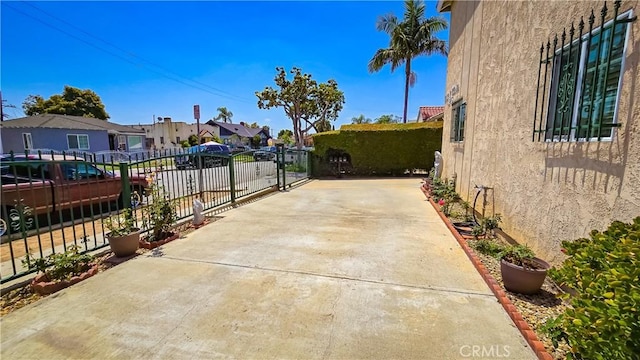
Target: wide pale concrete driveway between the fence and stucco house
x=335, y=269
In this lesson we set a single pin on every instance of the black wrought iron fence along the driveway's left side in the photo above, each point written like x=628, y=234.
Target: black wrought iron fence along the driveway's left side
x=50, y=201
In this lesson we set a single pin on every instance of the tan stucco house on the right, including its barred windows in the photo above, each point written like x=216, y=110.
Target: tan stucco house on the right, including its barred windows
x=542, y=107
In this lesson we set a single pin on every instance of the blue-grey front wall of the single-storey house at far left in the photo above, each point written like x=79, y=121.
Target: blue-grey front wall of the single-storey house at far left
x=54, y=139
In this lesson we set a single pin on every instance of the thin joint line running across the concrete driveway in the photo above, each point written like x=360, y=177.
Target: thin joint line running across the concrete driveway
x=487, y=294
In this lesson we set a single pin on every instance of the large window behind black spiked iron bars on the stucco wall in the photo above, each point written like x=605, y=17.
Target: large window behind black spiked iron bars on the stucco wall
x=585, y=83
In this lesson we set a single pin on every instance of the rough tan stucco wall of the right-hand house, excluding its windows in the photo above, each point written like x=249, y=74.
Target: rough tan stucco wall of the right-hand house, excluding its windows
x=546, y=191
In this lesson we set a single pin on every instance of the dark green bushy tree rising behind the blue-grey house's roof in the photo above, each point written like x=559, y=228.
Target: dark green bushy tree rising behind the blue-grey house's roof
x=72, y=101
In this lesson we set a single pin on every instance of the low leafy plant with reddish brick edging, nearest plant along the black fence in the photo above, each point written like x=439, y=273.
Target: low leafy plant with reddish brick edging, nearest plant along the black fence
x=60, y=270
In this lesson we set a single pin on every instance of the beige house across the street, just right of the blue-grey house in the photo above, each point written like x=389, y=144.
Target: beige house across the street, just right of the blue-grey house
x=166, y=134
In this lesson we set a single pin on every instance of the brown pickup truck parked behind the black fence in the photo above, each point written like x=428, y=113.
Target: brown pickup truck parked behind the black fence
x=51, y=183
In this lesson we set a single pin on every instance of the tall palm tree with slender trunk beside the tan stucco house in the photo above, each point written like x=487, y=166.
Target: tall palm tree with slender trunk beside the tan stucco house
x=409, y=38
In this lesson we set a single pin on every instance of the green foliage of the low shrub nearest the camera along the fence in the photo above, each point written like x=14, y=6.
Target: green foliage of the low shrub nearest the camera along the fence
x=60, y=266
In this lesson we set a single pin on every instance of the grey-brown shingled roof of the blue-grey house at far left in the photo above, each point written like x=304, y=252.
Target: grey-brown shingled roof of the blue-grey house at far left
x=55, y=121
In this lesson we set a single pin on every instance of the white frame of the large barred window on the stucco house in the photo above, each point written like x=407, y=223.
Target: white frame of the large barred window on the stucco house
x=581, y=72
